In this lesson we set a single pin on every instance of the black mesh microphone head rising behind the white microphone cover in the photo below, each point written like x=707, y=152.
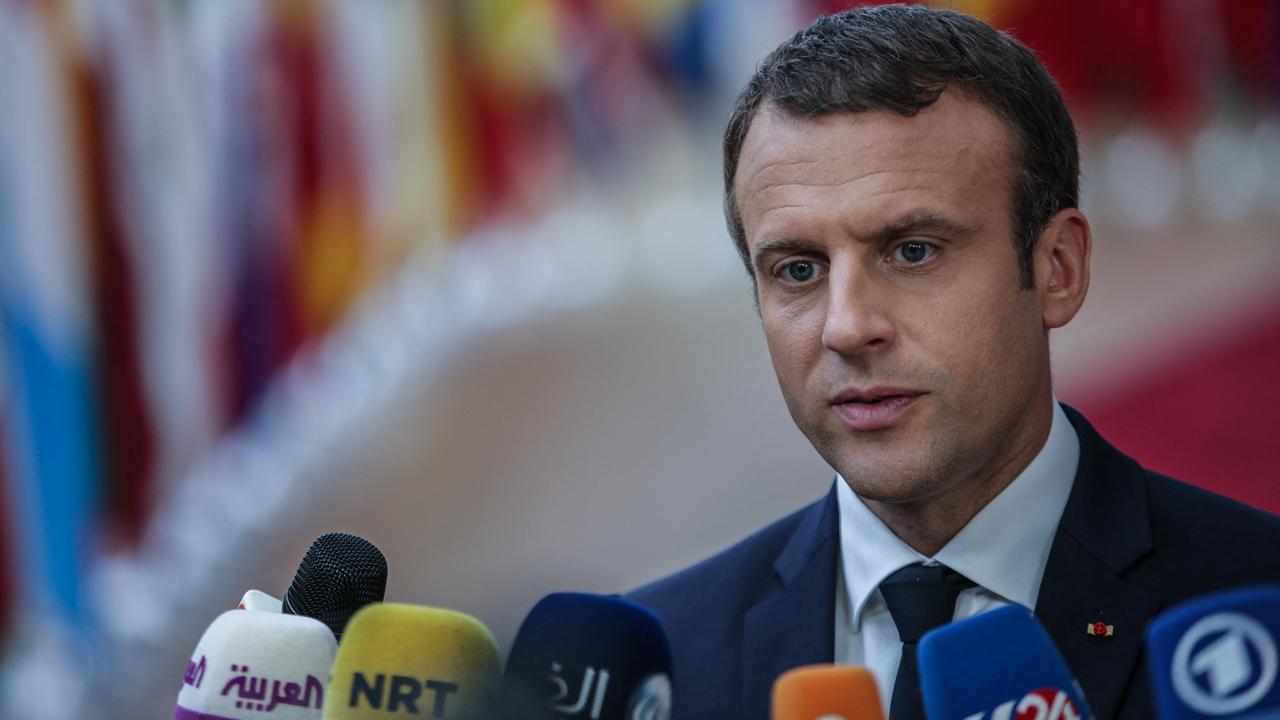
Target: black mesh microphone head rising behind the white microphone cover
x=340, y=575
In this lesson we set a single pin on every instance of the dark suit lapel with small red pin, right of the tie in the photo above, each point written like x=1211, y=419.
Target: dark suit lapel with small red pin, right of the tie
x=1105, y=530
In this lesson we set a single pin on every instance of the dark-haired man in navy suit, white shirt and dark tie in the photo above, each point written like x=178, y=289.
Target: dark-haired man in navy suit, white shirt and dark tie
x=903, y=185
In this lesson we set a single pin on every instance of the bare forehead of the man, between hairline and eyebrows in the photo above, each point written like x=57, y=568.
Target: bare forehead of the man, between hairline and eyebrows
x=953, y=158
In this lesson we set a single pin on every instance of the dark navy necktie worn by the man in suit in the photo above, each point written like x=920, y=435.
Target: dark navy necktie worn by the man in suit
x=920, y=598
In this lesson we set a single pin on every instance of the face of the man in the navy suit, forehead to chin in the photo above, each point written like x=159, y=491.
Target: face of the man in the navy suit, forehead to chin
x=889, y=289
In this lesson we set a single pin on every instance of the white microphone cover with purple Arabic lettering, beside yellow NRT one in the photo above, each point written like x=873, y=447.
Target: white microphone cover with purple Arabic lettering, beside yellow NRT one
x=253, y=663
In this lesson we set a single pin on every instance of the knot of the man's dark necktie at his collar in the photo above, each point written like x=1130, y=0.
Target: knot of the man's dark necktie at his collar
x=922, y=598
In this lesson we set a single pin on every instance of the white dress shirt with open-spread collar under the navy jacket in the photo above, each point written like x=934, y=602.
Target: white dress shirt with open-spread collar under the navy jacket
x=1003, y=550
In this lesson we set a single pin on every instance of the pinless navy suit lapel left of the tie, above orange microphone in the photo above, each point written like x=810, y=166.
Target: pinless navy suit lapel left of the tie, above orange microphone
x=794, y=625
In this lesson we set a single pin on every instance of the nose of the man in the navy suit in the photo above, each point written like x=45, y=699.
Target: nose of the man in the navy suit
x=858, y=313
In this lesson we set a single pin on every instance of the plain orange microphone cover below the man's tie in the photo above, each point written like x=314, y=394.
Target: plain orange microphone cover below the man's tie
x=828, y=692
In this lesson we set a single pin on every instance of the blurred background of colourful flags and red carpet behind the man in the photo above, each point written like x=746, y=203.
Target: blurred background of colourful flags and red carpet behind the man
x=454, y=276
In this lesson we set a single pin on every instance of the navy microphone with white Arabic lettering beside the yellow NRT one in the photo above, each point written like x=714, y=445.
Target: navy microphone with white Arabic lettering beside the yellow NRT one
x=589, y=657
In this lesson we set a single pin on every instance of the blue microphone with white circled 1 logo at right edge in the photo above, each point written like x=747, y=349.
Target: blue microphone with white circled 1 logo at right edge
x=1217, y=657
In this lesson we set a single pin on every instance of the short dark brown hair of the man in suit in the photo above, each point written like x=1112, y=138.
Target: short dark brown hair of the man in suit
x=902, y=58
